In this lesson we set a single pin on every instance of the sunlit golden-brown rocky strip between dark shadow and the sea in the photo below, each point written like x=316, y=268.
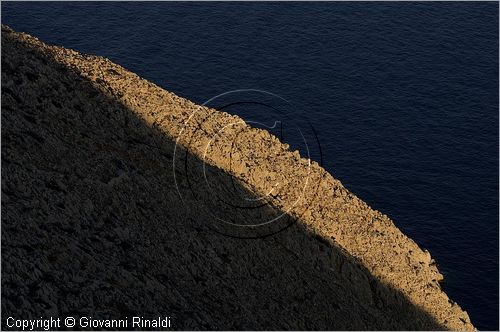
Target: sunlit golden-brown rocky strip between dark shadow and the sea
x=326, y=208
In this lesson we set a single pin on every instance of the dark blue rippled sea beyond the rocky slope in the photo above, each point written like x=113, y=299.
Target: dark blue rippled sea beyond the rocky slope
x=403, y=98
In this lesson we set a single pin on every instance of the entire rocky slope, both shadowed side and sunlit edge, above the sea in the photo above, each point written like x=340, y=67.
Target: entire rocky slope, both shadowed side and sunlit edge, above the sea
x=104, y=216
